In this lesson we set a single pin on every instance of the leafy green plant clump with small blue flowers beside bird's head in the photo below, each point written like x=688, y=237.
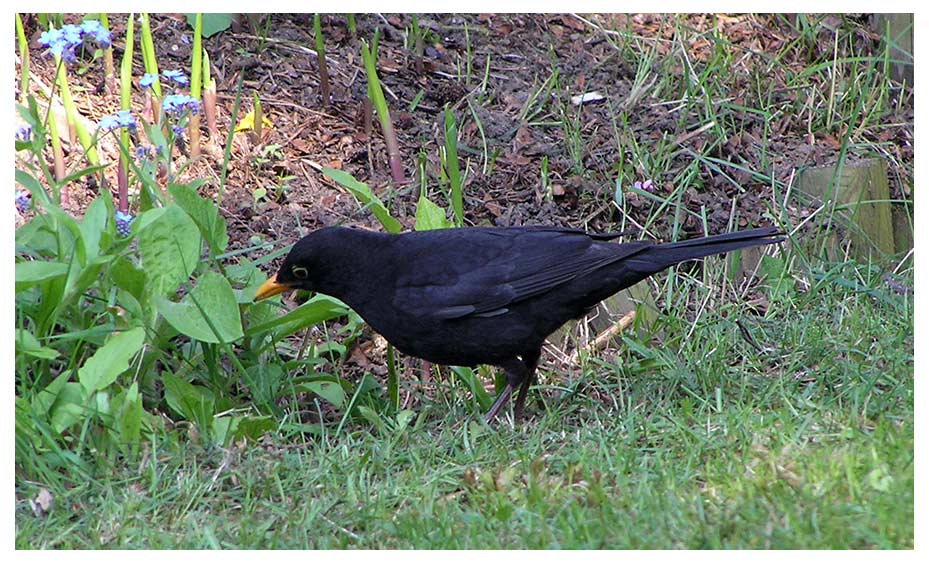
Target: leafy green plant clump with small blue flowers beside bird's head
x=118, y=317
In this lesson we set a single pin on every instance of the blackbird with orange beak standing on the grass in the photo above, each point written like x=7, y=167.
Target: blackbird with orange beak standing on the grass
x=482, y=295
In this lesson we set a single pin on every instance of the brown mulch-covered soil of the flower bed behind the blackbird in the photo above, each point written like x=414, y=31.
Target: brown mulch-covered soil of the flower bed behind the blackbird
x=508, y=80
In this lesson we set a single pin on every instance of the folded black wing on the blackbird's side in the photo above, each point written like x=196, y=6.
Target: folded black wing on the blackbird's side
x=481, y=272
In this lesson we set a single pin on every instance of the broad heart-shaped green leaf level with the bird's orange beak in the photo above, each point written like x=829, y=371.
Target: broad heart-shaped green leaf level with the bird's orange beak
x=212, y=296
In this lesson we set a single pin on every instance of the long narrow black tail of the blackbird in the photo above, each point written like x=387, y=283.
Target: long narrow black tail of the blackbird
x=660, y=257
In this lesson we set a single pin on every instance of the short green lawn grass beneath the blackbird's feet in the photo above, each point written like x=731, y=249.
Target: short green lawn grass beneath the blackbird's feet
x=699, y=442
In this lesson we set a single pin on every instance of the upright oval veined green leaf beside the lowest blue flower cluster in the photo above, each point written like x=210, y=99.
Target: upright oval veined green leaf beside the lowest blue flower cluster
x=170, y=248
